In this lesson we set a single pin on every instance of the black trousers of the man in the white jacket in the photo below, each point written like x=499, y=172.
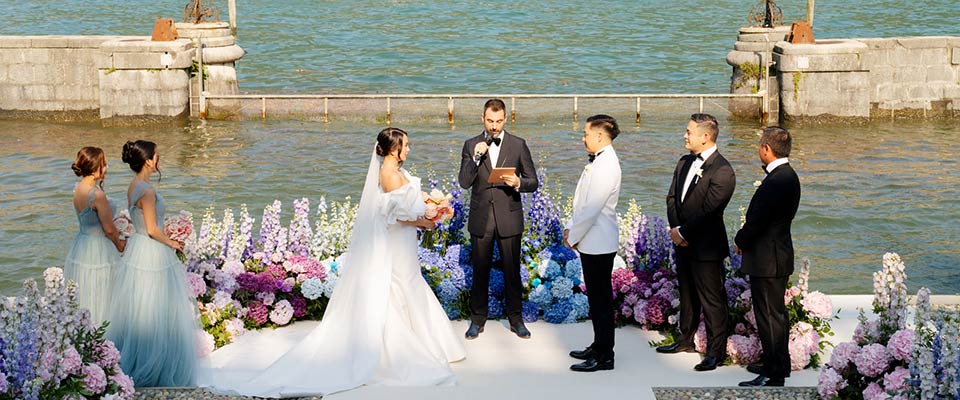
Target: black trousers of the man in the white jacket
x=597, y=270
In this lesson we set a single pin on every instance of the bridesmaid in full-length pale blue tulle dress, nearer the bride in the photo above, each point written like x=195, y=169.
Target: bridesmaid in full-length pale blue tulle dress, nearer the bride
x=153, y=321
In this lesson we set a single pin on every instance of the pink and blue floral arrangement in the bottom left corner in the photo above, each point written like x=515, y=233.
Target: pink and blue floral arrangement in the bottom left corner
x=49, y=348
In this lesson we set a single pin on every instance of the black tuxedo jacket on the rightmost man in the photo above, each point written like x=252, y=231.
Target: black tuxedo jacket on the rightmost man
x=765, y=239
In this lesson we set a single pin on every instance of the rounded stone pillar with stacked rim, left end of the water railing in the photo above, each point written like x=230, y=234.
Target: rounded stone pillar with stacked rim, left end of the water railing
x=220, y=54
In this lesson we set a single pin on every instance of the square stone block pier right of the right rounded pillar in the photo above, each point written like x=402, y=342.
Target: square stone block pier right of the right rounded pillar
x=823, y=81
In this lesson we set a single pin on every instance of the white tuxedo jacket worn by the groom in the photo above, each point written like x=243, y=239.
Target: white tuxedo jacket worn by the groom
x=593, y=224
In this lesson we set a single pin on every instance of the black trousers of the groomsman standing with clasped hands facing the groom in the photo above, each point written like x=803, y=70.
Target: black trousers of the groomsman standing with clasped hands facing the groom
x=702, y=290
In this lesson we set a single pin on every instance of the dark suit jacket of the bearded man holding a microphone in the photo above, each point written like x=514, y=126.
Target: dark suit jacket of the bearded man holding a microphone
x=507, y=207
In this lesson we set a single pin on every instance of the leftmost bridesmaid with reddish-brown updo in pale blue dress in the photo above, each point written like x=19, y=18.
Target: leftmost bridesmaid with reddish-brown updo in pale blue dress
x=94, y=257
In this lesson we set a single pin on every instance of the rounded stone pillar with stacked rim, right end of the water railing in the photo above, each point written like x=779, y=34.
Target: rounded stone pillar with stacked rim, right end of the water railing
x=752, y=50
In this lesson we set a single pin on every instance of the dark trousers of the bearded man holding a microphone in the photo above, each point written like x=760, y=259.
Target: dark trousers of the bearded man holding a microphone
x=482, y=257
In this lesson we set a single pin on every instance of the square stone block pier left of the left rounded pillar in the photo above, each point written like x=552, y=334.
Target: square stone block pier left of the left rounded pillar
x=144, y=81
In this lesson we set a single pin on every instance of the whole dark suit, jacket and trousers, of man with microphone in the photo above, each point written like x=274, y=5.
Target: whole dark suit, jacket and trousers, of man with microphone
x=496, y=214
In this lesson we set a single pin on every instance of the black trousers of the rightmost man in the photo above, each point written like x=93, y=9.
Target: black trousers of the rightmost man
x=772, y=324
